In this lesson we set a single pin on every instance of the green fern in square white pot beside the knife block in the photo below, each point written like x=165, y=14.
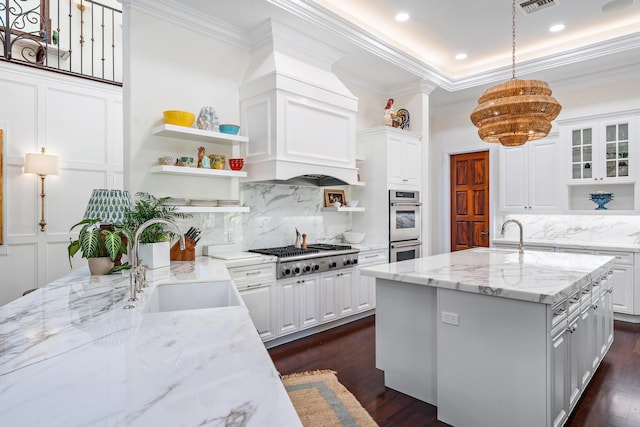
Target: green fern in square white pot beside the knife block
x=155, y=240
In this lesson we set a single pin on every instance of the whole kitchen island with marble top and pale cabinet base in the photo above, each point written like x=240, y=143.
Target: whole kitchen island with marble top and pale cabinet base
x=493, y=337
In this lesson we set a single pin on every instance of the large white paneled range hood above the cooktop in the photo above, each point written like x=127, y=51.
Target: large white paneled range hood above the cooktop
x=299, y=117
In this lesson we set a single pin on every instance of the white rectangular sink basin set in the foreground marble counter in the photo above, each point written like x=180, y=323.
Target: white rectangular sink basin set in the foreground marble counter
x=191, y=296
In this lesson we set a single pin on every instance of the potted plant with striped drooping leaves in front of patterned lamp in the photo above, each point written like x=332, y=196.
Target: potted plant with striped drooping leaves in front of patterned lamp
x=100, y=246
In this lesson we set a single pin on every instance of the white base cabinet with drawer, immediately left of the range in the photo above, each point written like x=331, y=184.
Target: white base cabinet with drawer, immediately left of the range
x=256, y=284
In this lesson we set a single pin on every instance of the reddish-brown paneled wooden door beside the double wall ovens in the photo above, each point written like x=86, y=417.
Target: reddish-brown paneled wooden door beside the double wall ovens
x=469, y=200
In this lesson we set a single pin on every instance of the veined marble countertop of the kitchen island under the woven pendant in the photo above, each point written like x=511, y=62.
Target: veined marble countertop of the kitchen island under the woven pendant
x=533, y=276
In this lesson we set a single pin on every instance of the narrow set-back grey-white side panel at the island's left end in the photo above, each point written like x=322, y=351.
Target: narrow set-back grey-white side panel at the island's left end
x=405, y=335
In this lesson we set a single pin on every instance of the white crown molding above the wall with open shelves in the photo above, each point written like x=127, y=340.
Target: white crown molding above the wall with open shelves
x=192, y=19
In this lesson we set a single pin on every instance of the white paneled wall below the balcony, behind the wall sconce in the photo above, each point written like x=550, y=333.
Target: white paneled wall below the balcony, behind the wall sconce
x=76, y=119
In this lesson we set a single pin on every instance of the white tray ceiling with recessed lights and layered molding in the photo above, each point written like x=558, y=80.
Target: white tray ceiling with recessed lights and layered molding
x=599, y=34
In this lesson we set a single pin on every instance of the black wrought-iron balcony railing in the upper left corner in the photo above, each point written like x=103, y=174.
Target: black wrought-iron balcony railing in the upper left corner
x=77, y=37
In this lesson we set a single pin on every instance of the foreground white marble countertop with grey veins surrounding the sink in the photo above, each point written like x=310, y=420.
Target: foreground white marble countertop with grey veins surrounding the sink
x=70, y=355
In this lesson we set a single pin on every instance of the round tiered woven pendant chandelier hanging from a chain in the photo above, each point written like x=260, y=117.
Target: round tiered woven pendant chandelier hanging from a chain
x=516, y=111
